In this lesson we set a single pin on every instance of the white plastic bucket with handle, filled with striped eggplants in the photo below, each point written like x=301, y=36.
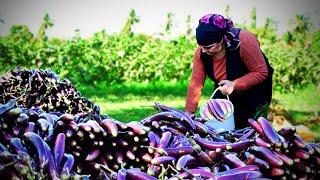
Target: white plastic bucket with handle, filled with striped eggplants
x=227, y=124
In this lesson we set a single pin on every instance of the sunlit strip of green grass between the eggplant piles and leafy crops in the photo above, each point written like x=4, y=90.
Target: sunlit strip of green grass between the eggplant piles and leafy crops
x=134, y=101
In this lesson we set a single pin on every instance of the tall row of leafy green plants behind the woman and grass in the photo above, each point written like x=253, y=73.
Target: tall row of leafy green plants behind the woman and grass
x=128, y=57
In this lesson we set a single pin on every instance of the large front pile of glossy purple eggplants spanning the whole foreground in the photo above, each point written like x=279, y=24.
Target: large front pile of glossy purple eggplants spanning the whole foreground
x=37, y=143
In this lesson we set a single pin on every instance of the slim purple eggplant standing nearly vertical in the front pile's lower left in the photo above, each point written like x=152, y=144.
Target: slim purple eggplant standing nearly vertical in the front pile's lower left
x=59, y=148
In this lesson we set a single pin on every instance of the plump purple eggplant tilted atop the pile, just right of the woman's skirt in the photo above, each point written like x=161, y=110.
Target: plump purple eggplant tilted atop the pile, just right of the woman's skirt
x=269, y=131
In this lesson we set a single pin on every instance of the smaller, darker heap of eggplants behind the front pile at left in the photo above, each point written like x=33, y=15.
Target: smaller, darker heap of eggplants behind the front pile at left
x=43, y=89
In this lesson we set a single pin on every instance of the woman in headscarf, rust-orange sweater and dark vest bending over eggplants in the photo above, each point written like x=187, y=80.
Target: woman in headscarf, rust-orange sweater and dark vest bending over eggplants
x=232, y=58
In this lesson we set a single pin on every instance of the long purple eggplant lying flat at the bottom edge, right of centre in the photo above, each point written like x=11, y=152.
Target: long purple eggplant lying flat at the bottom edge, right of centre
x=239, y=175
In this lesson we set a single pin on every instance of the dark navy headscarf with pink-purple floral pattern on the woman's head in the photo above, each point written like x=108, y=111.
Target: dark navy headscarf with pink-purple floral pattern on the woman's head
x=212, y=28
